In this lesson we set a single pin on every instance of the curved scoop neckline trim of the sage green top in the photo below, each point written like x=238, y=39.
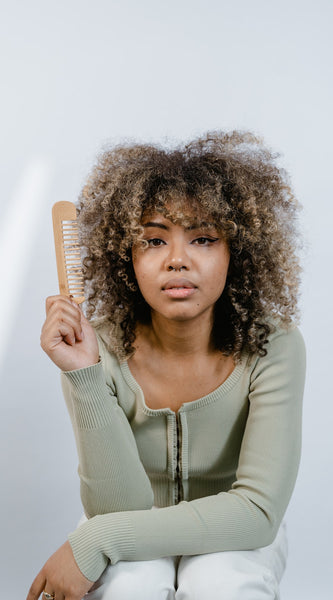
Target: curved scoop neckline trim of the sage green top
x=221, y=390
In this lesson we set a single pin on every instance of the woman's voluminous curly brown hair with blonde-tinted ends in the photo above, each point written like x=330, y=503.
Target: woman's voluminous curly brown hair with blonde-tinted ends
x=233, y=180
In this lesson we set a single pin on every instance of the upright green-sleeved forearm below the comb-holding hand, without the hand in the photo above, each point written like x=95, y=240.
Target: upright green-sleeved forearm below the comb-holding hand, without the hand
x=111, y=473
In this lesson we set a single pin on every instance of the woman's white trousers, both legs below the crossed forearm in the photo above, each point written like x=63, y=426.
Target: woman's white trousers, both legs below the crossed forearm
x=237, y=575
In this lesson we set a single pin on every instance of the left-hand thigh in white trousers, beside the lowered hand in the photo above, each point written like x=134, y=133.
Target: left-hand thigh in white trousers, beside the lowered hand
x=137, y=580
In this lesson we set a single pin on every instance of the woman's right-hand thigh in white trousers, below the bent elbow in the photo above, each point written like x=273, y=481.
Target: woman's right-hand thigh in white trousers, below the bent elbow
x=238, y=575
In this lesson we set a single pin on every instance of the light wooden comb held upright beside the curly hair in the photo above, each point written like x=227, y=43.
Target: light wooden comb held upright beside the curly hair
x=68, y=256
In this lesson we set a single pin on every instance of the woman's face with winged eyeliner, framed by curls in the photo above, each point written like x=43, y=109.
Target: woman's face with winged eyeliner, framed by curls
x=182, y=272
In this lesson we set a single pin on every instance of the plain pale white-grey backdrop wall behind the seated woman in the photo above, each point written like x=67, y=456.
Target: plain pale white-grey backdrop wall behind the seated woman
x=77, y=74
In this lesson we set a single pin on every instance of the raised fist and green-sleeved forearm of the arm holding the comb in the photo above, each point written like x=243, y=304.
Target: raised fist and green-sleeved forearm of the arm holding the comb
x=72, y=344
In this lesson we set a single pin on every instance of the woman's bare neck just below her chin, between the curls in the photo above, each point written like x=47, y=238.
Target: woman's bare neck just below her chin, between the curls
x=181, y=338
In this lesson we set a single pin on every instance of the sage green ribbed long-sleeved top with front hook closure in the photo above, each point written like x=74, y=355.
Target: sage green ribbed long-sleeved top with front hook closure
x=222, y=469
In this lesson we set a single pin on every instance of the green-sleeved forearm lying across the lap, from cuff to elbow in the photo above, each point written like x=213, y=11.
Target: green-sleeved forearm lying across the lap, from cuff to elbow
x=213, y=524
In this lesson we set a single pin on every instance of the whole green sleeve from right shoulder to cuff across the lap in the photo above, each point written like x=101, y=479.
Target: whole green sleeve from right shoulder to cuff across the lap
x=245, y=517
